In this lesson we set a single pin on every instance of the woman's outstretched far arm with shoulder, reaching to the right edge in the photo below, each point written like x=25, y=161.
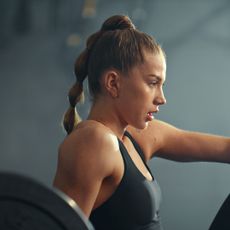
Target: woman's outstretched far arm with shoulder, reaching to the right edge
x=166, y=141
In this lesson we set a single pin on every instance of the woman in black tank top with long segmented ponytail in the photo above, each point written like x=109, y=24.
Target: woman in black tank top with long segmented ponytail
x=102, y=162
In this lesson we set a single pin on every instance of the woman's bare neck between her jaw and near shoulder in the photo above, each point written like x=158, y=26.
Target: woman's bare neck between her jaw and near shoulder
x=108, y=116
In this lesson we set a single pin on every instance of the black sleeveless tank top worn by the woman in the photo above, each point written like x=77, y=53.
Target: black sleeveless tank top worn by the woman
x=135, y=203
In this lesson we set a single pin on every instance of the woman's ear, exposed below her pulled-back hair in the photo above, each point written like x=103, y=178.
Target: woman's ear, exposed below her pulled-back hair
x=112, y=80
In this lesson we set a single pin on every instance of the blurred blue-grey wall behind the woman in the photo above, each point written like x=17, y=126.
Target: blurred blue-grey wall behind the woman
x=36, y=65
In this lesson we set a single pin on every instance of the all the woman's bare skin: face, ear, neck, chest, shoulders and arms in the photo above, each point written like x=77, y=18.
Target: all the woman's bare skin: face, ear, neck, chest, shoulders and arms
x=90, y=165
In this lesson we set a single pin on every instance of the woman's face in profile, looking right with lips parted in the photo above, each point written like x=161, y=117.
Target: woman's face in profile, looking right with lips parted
x=141, y=92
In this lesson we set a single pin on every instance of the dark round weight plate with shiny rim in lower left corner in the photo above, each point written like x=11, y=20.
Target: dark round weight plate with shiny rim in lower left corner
x=26, y=204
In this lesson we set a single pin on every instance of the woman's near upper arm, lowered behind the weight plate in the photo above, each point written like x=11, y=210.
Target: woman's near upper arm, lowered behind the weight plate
x=82, y=165
